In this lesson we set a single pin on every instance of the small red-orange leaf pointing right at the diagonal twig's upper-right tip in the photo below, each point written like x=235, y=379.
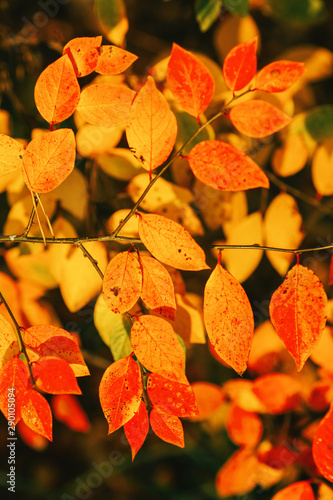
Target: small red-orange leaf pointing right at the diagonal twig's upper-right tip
x=279, y=76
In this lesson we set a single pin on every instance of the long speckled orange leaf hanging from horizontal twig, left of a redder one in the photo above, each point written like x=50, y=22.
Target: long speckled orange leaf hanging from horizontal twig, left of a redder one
x=228, y=318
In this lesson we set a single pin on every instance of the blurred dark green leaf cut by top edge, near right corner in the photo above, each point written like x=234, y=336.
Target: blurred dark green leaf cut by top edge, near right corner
x=298, y=11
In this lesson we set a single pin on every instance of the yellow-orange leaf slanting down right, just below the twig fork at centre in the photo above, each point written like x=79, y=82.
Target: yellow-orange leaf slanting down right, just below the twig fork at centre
x=170, y=243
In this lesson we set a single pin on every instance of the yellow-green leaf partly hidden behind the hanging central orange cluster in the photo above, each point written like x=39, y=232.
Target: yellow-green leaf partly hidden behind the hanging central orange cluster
x=113, y=328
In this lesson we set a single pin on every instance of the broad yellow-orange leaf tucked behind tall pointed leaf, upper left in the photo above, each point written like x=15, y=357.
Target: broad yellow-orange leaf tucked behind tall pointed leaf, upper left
x=106, y=104
